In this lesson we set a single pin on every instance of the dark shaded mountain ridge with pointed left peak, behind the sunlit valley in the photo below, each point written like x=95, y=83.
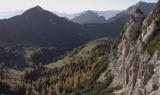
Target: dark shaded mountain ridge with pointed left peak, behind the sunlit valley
x=47, y=28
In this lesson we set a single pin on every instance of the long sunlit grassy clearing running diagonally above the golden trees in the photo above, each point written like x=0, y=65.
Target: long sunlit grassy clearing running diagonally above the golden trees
x=84, y=50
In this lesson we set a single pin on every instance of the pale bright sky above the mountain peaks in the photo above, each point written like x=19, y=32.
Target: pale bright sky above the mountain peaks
x=68, y=6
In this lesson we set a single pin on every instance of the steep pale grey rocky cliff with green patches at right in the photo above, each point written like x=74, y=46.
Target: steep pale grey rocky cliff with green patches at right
x=135, y=60
